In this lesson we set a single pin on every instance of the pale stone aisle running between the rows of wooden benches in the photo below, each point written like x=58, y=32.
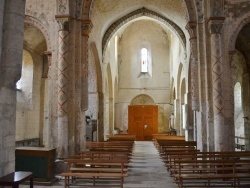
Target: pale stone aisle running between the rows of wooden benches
x=147, y=169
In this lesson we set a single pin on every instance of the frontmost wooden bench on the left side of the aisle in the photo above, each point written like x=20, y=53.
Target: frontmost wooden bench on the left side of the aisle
x=95, y=169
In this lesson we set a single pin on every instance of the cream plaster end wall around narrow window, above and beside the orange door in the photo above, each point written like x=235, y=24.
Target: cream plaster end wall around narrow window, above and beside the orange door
x=132, y=82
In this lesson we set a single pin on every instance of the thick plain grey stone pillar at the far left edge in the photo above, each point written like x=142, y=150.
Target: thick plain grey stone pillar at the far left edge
x=12, y=32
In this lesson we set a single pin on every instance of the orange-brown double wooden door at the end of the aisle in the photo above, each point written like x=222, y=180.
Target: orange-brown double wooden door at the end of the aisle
x=143, y=121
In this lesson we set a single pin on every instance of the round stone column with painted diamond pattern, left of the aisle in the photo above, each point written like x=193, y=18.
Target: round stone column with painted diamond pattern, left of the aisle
x=63, y=63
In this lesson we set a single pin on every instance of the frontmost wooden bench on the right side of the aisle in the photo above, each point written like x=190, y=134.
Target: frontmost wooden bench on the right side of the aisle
x=209, y=170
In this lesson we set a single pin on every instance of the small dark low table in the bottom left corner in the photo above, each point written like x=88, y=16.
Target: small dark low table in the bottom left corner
x=15, y=178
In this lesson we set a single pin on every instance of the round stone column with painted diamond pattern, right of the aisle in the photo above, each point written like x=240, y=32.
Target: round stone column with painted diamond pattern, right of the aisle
x=217, y=62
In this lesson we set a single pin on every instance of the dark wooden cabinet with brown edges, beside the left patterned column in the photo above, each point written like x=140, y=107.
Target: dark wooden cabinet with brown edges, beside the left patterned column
x=38, y=160
